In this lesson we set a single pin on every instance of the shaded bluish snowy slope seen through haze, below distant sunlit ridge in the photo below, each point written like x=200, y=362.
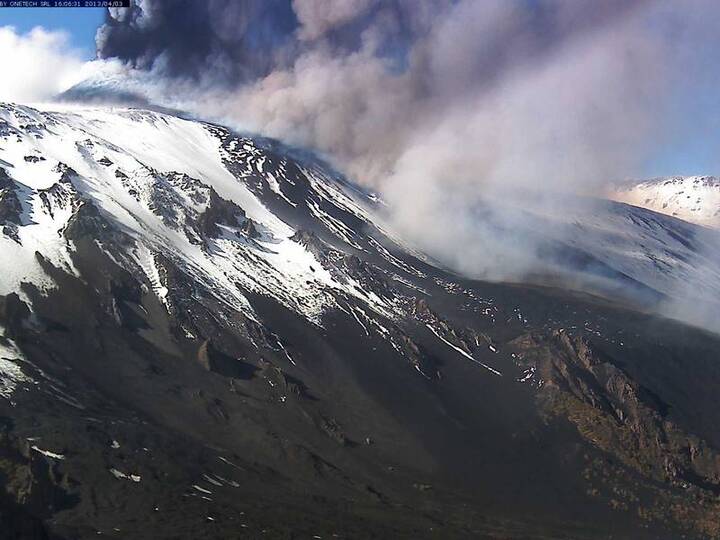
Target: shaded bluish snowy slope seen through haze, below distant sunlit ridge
x=626, y=246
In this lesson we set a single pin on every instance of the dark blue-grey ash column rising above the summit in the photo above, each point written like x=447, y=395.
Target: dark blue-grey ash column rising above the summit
x=228, y=41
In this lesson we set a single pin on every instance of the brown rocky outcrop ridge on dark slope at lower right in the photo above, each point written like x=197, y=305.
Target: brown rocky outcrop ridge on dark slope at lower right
x=578, y=381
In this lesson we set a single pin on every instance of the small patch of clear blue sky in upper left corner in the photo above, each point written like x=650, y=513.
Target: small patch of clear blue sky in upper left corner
x=79, y=23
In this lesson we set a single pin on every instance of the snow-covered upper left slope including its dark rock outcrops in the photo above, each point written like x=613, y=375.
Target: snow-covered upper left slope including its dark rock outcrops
x=179, y=189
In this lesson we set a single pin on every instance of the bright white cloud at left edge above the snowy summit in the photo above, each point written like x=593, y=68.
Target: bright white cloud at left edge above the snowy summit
x=37, y=65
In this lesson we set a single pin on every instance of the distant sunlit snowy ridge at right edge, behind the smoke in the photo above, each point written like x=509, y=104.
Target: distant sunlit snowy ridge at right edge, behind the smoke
x=692, y=198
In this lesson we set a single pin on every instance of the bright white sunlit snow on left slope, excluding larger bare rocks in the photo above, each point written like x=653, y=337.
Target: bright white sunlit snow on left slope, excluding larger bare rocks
x=118, y=155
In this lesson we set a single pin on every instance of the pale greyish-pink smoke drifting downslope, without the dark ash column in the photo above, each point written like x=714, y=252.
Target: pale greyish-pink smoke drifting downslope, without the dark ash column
x=490, y=101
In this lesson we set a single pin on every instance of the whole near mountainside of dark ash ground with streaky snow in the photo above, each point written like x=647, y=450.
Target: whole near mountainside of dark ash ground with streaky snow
x=150, y=390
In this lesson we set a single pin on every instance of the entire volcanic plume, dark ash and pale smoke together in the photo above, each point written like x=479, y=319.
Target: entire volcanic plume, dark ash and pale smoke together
x=469, y=116
